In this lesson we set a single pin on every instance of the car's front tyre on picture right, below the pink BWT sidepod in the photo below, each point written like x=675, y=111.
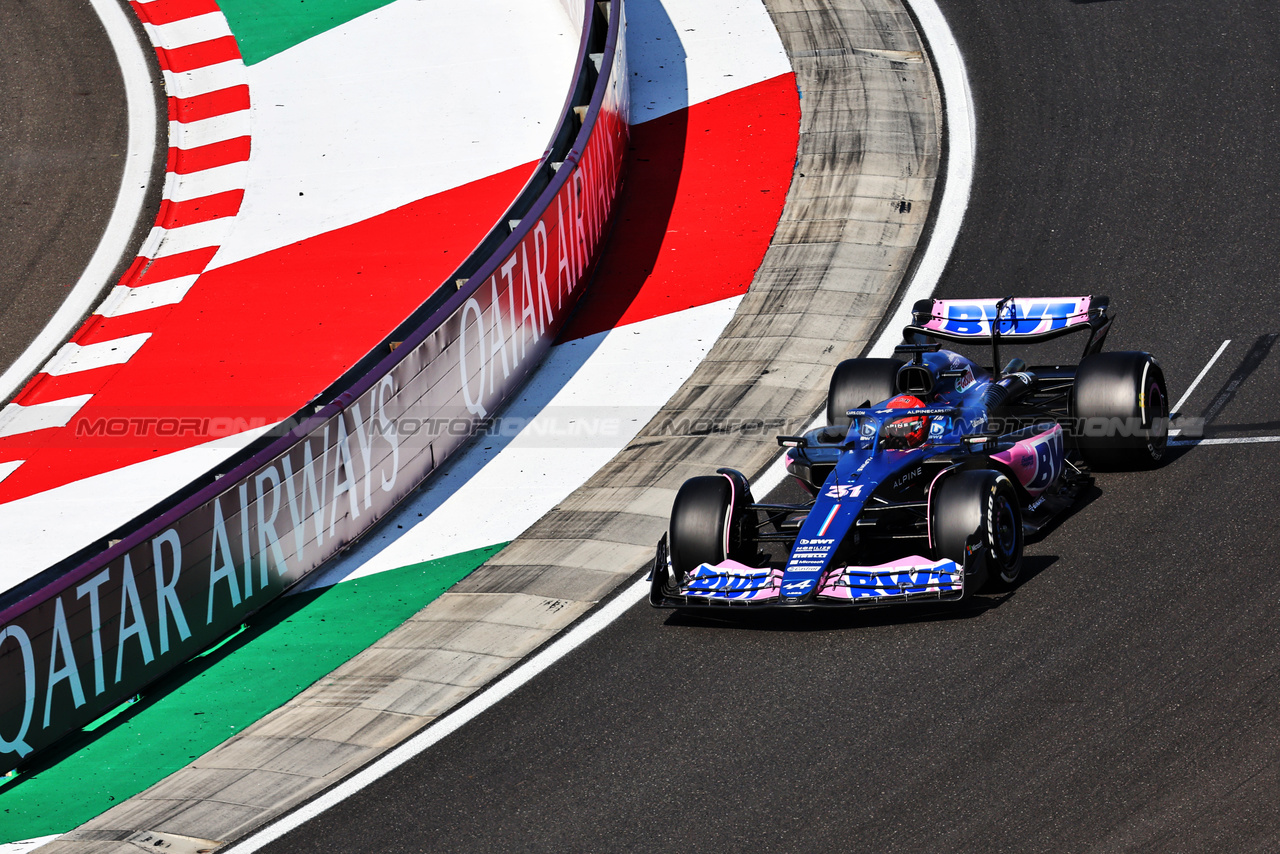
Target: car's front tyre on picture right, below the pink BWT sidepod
x=980, y=503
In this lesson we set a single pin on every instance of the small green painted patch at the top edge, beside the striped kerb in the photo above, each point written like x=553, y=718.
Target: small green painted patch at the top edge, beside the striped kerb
x=264, y=29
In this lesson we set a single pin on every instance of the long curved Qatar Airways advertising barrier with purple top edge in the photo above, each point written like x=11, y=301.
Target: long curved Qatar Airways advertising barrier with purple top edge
x=104, y=629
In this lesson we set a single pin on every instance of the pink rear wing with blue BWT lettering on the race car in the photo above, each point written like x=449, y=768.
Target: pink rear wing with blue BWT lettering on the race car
x=1013, y=319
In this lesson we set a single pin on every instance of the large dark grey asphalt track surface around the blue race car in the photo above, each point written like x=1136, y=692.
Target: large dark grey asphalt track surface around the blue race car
x=1124, y=696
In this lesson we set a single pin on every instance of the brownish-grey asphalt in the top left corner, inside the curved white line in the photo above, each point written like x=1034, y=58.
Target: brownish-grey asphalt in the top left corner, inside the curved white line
x=63, y=135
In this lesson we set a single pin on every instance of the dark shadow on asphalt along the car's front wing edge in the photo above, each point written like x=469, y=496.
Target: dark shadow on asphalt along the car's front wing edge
x=860, y=618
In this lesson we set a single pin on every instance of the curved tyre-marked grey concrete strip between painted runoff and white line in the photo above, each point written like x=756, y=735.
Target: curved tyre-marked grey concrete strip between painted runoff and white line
x=856, y=212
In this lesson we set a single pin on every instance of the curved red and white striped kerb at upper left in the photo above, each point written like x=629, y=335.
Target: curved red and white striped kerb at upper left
x=205, y=177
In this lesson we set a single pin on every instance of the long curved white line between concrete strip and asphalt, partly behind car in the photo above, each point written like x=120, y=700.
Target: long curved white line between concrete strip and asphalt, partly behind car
x=956, y=200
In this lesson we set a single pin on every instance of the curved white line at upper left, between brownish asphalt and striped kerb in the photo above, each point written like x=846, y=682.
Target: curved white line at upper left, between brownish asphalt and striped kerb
x=129, y=204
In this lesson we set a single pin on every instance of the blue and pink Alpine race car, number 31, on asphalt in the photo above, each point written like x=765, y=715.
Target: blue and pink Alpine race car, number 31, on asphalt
x=931, y=472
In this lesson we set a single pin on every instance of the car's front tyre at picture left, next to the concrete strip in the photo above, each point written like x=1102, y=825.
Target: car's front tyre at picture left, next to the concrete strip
x=710, y=524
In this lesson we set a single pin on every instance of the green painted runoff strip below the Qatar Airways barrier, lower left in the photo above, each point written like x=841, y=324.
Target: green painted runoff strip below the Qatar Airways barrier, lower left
x=286, y=647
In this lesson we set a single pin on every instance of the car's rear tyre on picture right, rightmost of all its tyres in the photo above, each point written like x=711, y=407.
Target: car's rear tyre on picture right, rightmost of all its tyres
x=1121, y=407
